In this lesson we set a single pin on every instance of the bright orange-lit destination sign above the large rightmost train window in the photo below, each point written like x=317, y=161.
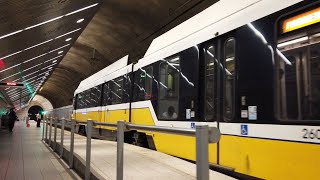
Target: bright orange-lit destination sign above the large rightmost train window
x=302, y=20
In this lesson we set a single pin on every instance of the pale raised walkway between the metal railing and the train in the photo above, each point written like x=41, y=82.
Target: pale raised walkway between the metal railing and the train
x=139, y=163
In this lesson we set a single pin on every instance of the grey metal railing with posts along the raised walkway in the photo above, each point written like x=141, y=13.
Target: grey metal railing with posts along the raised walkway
x=204, y=135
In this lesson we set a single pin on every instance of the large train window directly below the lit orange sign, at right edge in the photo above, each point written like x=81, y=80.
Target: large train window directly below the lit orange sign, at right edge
x=299, y=62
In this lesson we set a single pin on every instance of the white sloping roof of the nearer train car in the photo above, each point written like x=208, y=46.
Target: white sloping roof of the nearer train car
x=220, y=18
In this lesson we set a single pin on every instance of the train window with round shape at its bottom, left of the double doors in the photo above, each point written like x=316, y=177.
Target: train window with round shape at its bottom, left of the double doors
x=168, y=102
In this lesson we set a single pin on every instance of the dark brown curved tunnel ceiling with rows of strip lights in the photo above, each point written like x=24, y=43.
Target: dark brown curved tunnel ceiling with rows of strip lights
x=33, y=38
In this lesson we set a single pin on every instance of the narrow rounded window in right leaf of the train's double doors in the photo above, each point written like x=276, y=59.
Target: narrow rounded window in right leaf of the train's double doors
x=229, y=78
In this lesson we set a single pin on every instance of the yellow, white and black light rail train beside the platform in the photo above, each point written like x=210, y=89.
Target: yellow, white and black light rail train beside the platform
x=250, y=68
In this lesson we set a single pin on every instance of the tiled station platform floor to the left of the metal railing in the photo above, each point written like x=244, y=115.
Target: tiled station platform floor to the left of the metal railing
x=24, y=156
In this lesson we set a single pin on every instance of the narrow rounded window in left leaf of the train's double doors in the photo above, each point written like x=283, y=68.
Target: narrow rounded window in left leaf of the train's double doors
x=210, y=77
